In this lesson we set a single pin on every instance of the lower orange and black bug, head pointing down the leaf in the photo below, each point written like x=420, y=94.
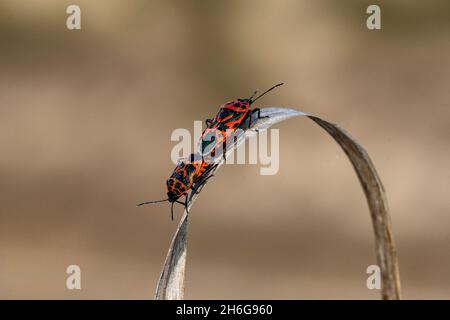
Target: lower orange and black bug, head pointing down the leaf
x=189, y=174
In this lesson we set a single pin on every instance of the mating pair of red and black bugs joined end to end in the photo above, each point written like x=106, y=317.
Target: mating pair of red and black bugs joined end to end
x=193, y=172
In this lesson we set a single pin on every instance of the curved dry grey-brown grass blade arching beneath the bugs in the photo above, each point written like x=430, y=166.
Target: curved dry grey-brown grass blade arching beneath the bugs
x=171, y=282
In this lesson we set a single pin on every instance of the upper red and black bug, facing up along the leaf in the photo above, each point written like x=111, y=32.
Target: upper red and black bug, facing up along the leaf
x=231, y=116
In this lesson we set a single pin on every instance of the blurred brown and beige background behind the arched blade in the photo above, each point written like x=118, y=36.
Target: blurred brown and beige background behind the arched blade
x=85, y=124
